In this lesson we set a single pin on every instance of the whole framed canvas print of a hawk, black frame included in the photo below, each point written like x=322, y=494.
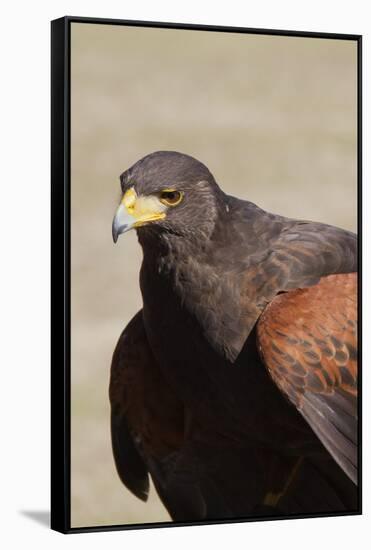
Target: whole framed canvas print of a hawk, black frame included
x=204, y=367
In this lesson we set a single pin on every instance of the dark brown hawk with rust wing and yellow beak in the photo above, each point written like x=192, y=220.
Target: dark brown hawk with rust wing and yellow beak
x=235, y=387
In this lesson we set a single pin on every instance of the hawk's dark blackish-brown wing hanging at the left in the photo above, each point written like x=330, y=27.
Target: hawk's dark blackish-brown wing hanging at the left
x=146, y=418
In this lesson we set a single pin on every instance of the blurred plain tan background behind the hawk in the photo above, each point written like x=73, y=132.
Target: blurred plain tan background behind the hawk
x=274, y=119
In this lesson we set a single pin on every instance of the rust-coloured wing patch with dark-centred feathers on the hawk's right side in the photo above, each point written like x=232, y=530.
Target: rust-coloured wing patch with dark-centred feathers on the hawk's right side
x=308, y=341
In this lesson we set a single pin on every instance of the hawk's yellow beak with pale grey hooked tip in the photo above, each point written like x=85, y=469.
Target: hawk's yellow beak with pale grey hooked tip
x=136, y=211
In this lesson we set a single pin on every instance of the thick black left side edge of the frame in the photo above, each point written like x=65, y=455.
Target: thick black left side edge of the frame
x=60, y=444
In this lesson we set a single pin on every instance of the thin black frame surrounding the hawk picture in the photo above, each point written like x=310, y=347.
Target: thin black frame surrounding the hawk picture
x=61, y=264
